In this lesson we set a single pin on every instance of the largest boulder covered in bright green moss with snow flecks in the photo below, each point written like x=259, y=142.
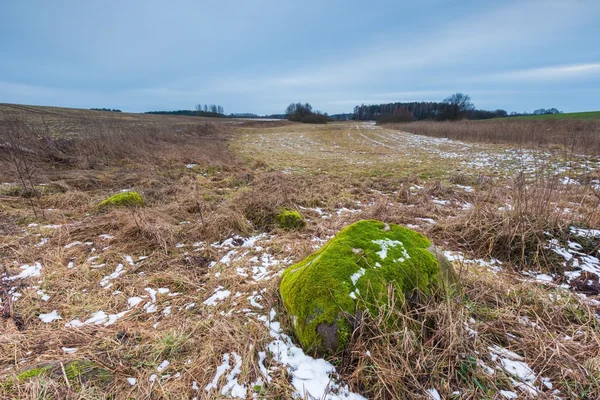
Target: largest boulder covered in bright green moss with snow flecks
x=351, y=273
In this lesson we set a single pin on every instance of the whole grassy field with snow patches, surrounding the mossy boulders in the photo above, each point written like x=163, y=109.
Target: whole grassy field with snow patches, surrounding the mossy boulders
x=179, y=298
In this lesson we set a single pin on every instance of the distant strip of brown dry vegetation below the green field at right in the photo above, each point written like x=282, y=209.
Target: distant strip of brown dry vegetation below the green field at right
x=568, y=134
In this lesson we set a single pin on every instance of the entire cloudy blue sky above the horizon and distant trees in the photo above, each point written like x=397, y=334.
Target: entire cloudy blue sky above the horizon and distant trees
x=260, y=55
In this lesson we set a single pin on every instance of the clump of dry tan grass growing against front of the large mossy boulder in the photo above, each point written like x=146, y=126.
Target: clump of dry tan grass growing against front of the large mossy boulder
x=411, y=347
